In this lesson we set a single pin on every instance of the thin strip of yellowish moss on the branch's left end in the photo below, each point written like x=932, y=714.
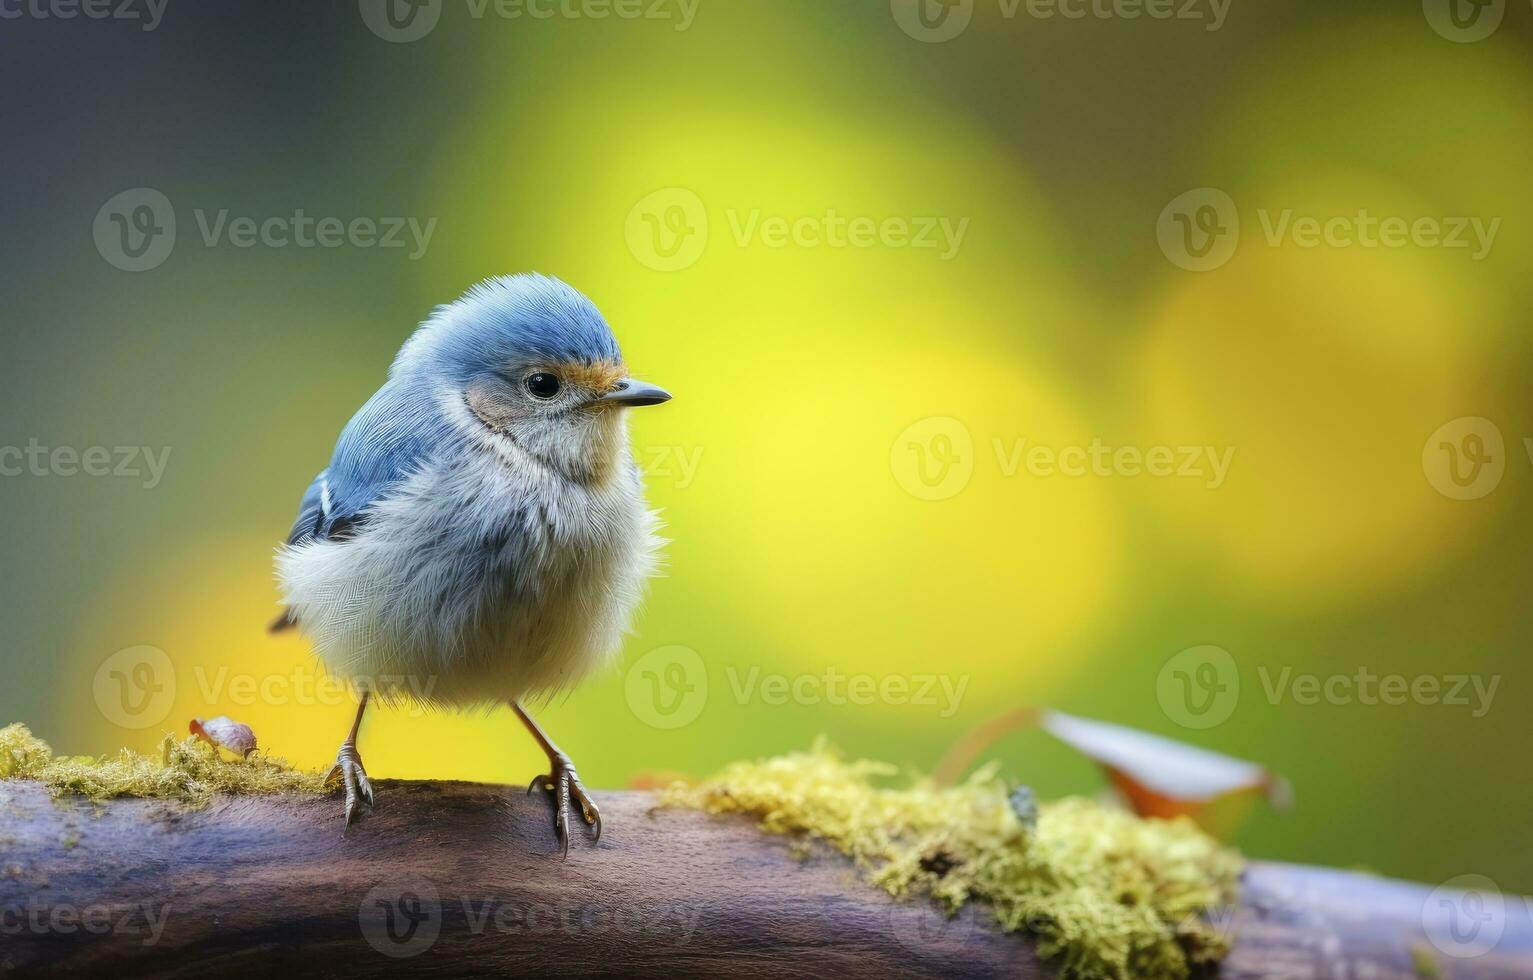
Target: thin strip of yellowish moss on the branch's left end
x=188, y=771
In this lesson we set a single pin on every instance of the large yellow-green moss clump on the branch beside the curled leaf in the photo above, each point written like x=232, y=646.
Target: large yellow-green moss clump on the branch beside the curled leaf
x=1106, y=893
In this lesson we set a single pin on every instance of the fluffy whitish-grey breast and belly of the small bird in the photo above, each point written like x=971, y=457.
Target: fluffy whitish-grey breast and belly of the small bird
x=482, y=579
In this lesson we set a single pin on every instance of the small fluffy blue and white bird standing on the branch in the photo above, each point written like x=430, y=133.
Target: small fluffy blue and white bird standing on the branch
x=481, y=536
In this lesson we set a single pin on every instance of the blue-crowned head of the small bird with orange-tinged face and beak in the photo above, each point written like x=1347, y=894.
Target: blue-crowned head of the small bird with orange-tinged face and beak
x=534, y=363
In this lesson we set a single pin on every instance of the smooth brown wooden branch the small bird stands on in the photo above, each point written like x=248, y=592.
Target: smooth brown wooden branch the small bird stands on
x=455, y=880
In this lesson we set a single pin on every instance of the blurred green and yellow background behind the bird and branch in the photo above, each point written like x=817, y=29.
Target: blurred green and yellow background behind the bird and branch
x=842, y=473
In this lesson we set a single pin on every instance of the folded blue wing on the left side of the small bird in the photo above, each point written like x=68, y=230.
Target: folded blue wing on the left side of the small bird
x=389, y=441
